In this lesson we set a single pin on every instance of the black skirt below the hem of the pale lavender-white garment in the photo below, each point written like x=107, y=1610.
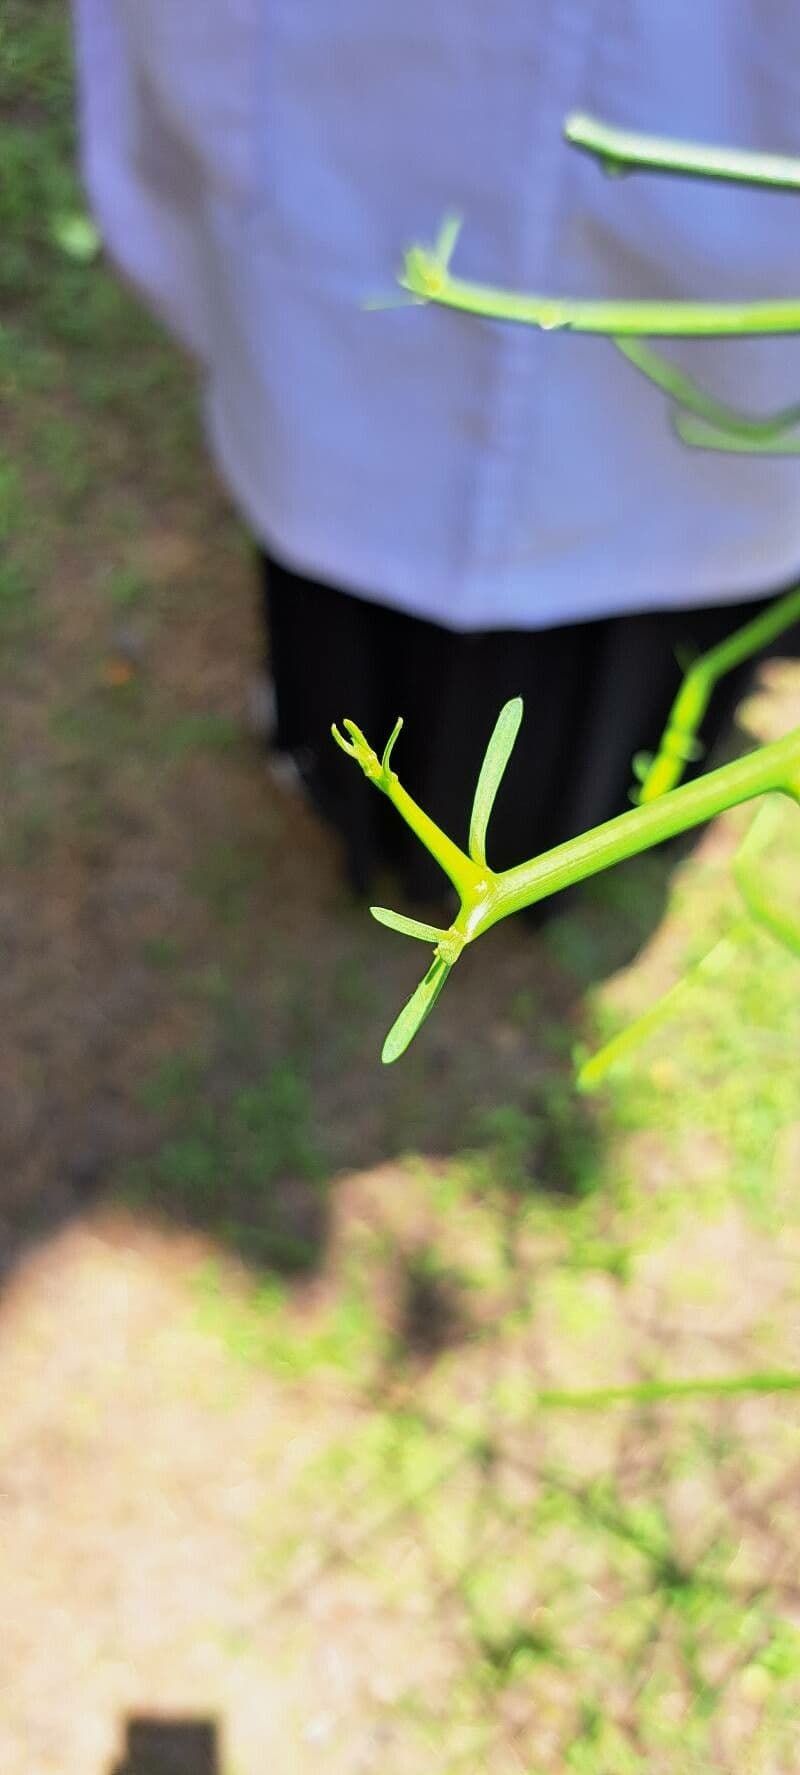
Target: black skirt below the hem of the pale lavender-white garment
x=595, y=695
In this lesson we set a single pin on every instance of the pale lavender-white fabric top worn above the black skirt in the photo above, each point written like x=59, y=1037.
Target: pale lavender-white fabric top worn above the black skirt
x=260, y=166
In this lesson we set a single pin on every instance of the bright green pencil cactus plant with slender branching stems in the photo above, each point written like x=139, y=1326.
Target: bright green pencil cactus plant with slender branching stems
x=664, y=807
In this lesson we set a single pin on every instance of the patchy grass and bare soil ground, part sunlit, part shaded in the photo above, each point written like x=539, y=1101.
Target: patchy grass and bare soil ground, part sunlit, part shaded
x=286, y=1339
